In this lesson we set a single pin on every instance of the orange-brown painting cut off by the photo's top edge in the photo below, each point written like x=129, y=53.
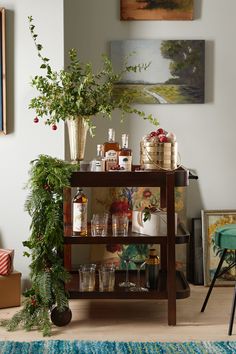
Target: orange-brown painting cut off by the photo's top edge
x=156, y=10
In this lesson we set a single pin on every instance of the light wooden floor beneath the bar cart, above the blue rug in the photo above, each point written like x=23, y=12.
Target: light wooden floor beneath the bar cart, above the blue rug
x=141, y=320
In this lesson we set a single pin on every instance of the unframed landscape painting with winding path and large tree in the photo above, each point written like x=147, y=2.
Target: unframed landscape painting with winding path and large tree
x=175, y=73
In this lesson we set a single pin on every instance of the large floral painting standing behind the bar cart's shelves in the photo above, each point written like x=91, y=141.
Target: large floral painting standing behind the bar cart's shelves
x=125, y=199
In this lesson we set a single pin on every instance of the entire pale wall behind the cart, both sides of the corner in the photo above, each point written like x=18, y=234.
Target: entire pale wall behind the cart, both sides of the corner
x=205, y=132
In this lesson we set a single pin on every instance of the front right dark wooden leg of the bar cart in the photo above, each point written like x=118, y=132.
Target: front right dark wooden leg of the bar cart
x=171, y=272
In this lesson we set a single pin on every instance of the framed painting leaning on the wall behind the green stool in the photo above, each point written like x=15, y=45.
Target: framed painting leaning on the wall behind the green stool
x=211, y=219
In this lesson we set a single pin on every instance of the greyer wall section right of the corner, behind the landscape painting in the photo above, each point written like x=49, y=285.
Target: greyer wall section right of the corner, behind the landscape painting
x=205, y=132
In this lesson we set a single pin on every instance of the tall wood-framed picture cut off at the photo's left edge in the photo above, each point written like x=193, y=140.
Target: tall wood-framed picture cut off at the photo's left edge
x=2, y=73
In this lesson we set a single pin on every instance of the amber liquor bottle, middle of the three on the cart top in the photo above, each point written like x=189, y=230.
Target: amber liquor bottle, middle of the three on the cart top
x=110, y=150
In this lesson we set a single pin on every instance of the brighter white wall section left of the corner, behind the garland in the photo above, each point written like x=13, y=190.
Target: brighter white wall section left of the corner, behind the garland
x=25, y=140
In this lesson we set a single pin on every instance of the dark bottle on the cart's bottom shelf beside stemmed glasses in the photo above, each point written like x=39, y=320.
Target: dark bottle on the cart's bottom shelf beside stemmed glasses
x=152, y=269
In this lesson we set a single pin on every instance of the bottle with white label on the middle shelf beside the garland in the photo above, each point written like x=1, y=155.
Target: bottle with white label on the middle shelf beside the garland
x=80, y=203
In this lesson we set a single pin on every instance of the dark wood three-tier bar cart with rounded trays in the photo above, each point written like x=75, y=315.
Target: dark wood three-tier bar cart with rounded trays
x=172, y=284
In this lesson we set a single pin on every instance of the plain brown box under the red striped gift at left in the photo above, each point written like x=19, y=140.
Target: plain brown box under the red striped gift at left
x=10, y=290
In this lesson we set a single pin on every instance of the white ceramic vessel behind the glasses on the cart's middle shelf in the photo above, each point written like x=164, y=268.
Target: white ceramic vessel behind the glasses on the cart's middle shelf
x=155, y=226
